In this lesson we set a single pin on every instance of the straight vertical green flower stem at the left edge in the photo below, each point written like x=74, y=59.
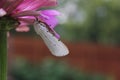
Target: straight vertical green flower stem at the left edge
x=3, y=55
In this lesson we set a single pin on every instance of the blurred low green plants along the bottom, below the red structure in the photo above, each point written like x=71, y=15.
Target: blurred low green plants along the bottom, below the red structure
x=50, y=70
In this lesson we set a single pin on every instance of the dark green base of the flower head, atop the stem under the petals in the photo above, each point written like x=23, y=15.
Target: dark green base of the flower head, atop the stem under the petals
x=7, y=23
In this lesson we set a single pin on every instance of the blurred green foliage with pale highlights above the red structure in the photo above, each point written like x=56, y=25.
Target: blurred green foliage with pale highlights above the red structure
x=89, y=21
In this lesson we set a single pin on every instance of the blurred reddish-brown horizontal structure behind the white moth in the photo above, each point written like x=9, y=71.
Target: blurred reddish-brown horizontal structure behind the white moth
x=87, y=56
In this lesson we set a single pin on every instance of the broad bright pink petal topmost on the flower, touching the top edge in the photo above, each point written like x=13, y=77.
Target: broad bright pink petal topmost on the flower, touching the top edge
x=35, y=4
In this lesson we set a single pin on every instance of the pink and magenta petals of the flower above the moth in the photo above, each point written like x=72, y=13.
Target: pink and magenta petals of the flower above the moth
x=25, y=11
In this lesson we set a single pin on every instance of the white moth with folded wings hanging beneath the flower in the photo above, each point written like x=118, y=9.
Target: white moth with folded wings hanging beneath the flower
x=56, y=47
